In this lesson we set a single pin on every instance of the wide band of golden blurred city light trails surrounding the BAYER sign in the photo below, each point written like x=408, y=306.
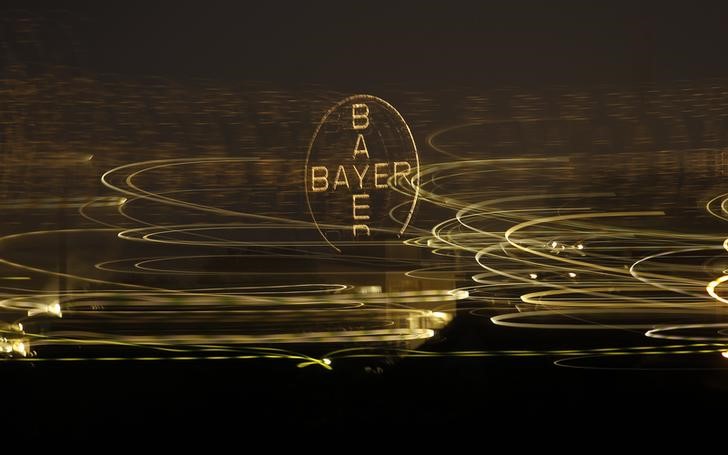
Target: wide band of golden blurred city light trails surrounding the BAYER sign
x=146, y=219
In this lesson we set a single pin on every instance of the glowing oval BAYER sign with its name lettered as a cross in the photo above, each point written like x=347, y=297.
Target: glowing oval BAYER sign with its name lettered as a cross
x=361, y=172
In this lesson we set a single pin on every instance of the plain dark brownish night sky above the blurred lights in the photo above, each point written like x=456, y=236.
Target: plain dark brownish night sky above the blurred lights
x=360, y=42
